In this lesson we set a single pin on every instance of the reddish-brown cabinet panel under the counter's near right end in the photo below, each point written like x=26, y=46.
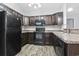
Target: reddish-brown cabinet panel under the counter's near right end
x=72, y=49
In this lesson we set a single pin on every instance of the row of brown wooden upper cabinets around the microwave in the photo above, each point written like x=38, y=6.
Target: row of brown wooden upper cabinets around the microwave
x=54, y=19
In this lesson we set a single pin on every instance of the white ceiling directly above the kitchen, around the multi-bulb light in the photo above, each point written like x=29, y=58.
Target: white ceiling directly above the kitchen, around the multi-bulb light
x=47, y=8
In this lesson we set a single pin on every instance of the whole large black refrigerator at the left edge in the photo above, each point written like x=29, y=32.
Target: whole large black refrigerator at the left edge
x=10, y=34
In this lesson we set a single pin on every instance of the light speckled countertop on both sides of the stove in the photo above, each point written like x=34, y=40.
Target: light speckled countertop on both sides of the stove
x=66, y=37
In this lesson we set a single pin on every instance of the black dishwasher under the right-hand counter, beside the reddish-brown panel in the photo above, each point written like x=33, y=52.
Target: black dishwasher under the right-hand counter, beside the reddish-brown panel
x=59, y=47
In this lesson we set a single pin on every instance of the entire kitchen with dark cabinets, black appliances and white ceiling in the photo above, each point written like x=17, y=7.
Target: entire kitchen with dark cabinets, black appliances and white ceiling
x=39, y=29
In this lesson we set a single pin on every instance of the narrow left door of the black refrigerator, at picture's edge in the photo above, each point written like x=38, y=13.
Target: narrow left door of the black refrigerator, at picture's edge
x=2, y=33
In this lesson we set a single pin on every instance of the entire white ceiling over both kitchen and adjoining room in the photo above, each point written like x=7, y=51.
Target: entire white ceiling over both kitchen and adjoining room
x=46, y=9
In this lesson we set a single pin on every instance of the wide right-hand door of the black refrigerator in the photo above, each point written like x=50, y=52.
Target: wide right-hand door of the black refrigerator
x=13, y=42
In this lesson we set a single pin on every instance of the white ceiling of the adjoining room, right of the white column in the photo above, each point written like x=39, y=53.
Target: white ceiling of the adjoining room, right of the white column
x=75, y=11
